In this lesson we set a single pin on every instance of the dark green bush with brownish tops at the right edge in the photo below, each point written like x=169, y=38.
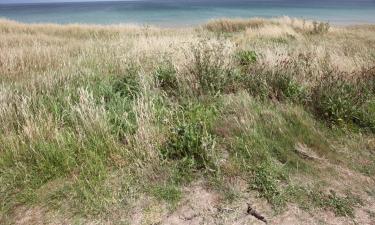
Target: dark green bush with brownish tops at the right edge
x=337, y=99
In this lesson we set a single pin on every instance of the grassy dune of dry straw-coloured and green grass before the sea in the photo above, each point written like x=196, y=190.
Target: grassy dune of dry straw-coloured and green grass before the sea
x=124, y=124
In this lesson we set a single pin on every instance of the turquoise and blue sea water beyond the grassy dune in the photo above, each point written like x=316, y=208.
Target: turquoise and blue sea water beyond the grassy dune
x=189, y=12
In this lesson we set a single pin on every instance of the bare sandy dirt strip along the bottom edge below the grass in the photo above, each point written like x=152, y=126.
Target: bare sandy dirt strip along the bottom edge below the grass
x=201, y=206
